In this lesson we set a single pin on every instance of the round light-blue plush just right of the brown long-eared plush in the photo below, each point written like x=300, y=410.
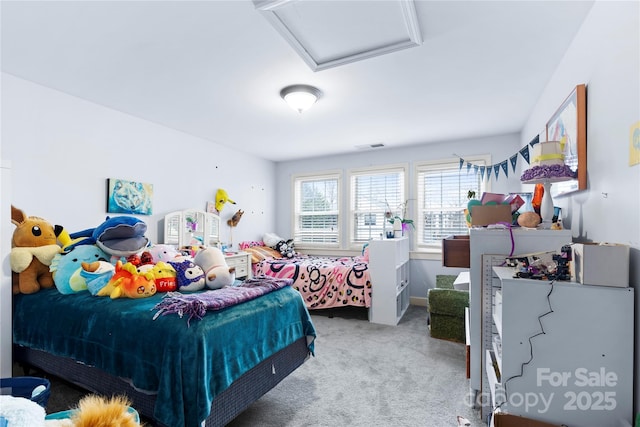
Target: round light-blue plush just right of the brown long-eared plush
x=67, y=267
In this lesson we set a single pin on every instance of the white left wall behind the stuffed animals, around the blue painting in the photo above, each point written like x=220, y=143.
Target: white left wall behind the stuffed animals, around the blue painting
x=63, y=149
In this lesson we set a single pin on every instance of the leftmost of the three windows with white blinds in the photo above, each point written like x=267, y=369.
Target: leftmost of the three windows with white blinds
x=316, y=219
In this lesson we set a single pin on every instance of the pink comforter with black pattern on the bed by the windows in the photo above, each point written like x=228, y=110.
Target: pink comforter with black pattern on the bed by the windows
x=323, y=282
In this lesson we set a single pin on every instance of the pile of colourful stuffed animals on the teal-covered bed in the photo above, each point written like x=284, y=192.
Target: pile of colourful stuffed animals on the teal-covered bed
x=114, y=259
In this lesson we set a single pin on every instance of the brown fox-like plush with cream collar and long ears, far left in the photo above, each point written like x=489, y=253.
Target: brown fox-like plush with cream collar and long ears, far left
x=33, y=247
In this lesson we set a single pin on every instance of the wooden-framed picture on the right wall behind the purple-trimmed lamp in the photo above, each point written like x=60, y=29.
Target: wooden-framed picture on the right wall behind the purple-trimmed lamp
x=569, y=124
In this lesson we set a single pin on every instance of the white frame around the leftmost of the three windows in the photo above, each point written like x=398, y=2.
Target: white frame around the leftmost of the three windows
x=317, y=176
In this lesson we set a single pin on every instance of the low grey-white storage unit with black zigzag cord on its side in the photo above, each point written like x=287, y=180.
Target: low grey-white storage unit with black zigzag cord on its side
x=565, y=352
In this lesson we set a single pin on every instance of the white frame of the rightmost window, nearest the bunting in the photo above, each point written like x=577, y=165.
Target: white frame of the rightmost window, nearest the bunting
x=441, y=164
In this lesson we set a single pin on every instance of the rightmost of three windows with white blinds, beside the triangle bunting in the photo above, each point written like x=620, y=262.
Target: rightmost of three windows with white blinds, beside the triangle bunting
x=442, y=190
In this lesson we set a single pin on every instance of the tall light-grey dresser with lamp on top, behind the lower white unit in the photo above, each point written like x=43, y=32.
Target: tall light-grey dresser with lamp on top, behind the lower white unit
x=485, y=241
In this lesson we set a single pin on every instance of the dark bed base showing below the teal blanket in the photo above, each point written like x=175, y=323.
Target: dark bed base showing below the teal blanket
x=225, y=407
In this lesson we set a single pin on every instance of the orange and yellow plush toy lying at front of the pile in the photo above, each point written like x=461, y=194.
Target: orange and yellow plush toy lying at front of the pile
x=126, y=282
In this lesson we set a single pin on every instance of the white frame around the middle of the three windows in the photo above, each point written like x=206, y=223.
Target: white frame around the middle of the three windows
x=402, y=168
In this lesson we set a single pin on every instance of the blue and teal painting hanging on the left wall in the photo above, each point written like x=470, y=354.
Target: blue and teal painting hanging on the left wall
x=129, y=197
